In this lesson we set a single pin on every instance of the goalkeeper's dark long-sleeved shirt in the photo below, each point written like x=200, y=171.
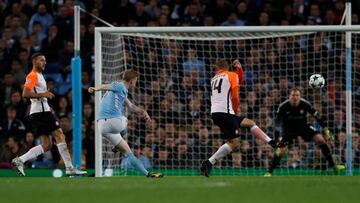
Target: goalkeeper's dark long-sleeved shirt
x=294, y=118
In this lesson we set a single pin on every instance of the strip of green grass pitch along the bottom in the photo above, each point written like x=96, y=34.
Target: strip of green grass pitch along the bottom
x=226, y=189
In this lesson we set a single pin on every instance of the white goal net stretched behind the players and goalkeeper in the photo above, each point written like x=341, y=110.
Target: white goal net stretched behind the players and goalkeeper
x=174, y=87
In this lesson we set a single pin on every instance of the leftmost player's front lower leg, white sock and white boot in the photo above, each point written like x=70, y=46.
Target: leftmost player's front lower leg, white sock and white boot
x=65, y=155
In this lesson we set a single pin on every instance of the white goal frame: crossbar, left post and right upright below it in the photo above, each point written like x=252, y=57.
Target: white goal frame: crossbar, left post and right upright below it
x=338, y=28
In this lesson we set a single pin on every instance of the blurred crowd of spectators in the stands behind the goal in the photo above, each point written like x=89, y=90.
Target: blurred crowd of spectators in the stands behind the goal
x=174, y=82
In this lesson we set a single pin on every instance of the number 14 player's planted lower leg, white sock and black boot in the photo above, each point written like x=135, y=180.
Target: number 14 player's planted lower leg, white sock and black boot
x=225, y=149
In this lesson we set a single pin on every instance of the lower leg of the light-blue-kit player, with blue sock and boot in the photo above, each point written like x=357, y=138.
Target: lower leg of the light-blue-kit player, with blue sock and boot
x=125, y=149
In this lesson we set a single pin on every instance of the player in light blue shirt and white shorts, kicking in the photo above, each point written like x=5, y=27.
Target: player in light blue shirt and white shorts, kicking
x=111, y=120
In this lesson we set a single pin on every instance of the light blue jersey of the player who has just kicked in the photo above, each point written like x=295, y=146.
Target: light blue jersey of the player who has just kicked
x=112, y=101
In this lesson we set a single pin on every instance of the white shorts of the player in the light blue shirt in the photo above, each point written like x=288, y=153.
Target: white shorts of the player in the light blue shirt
x=112, y=127
